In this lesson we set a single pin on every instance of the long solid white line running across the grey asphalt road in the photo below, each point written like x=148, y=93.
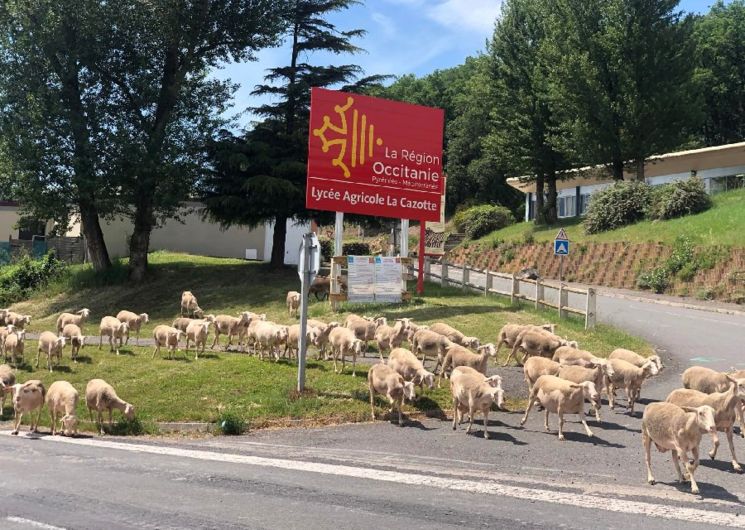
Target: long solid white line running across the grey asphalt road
x=489, y=487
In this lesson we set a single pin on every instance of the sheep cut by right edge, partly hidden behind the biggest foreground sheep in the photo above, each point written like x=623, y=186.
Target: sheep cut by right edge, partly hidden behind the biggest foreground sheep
x=725, y=405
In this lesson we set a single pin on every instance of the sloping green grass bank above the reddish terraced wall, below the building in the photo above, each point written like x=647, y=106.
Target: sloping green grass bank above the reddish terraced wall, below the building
x=721, y=225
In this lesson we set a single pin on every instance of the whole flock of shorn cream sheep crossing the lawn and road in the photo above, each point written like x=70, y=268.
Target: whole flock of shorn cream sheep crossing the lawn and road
x=559, y=375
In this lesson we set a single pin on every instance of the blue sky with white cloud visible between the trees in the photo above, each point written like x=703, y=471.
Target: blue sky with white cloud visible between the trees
x=403, y=37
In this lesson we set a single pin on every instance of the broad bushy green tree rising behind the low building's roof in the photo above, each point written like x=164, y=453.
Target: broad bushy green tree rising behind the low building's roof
x=622, y=80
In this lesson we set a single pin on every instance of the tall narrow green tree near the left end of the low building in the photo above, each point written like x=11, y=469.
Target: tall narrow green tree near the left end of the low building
x=522, y=117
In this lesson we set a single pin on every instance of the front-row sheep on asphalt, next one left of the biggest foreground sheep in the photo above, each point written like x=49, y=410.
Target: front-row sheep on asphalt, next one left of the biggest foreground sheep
x=562, y=397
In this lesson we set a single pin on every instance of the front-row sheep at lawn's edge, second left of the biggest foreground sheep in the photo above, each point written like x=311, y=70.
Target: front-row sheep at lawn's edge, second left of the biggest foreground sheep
x=473, y=392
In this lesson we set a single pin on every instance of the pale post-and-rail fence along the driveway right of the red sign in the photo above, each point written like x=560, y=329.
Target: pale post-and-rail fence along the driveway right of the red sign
x=535, y=290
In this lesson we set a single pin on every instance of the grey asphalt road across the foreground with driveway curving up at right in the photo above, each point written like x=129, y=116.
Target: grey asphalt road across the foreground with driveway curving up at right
x=423, y=475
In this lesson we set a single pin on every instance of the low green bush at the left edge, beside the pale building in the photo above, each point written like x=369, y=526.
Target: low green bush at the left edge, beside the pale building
x=19, y=280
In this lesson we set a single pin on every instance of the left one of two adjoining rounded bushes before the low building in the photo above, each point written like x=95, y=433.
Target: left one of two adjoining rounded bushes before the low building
x=621, y=204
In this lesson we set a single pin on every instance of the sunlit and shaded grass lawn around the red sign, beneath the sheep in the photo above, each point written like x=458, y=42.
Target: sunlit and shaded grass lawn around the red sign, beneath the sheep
x=260, y=392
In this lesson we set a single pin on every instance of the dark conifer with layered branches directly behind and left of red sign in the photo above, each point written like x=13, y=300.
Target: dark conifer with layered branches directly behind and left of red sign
x=272, y=185
